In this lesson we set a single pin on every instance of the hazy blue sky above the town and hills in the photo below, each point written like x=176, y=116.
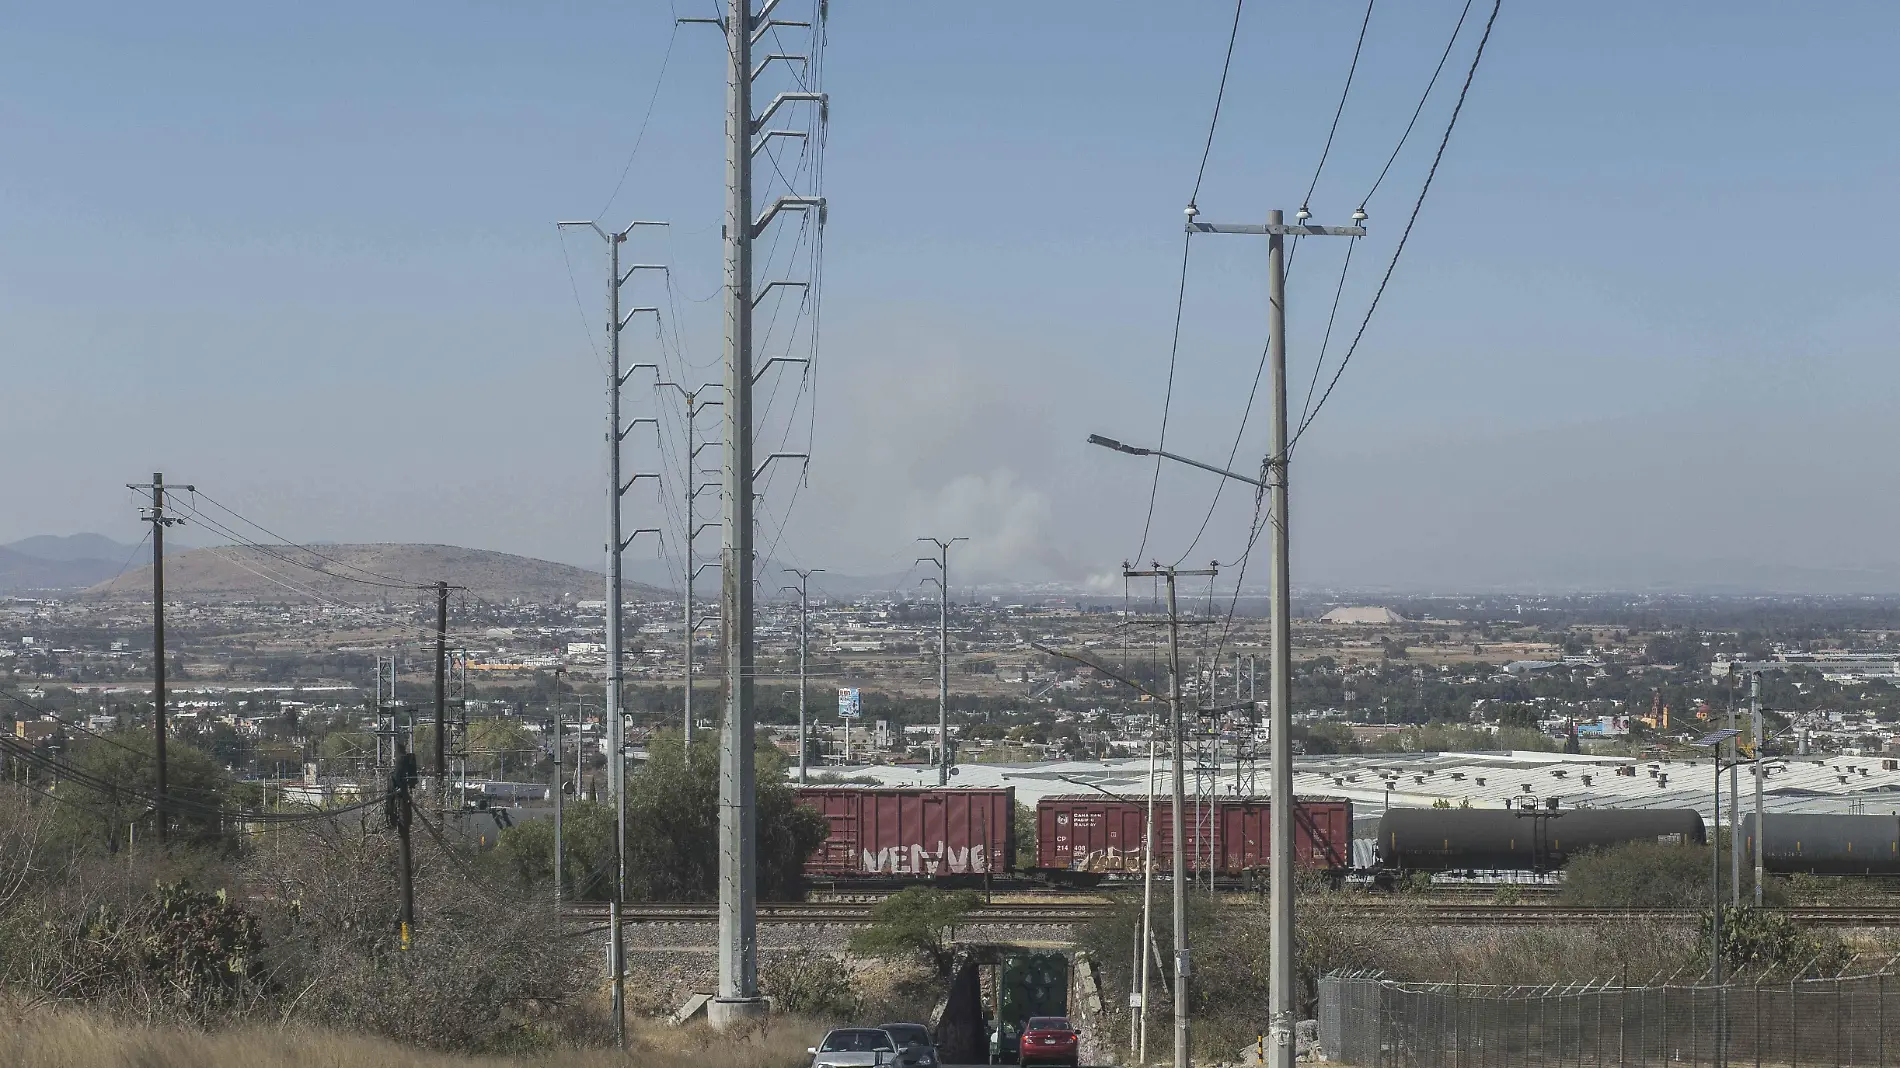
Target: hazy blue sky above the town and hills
x=305, y=257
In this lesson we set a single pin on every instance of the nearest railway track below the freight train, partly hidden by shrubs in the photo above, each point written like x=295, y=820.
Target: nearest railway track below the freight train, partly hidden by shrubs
x=1401, y=911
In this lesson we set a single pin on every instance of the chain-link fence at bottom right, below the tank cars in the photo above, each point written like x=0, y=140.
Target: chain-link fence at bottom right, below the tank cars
x=1827, y=1023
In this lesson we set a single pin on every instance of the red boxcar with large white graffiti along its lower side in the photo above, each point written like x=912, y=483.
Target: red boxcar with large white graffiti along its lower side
x=894, y=831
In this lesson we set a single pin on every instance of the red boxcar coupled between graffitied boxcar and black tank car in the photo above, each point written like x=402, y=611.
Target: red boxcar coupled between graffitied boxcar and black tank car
x=1099, y=835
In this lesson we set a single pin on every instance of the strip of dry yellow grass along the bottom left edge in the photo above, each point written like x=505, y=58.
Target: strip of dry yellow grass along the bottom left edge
x=85, y=1040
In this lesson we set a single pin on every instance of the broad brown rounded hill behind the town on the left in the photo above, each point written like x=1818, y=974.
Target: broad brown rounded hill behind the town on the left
x=360, y=575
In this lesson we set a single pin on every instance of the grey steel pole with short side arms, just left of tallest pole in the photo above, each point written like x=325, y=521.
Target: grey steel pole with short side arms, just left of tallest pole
x=617, y=544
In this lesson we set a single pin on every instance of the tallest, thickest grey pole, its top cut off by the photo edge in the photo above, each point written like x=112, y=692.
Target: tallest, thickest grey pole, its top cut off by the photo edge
x=746, y=136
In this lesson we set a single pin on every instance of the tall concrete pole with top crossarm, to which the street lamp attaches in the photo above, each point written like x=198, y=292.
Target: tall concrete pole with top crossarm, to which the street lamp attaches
x=1282, y=995
